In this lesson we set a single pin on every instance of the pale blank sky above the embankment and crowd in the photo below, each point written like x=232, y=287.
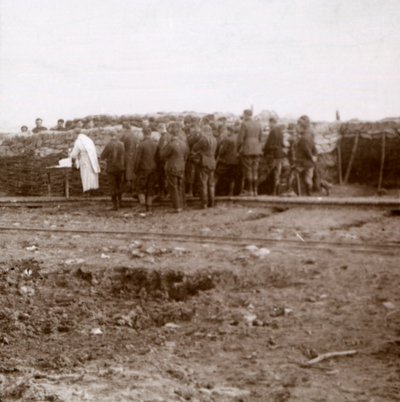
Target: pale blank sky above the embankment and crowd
x=71, y=58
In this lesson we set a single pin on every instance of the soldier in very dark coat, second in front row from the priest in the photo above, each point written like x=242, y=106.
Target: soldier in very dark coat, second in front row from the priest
x=146, y=169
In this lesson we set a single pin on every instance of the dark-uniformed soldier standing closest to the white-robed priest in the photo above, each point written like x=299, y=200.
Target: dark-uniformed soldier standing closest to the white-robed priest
x=114, y=154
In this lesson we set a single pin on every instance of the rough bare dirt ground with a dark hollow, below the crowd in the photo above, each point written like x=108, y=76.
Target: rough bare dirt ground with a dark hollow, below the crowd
x=101, y=317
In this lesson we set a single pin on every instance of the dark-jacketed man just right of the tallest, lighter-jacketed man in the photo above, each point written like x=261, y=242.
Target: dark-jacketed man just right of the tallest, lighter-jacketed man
x=274, y=153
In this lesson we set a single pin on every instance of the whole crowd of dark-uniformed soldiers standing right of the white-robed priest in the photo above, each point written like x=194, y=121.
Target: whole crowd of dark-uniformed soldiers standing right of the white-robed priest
x=193, y=157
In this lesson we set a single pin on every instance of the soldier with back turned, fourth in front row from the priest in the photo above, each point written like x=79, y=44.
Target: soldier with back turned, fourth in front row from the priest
x=204, y=154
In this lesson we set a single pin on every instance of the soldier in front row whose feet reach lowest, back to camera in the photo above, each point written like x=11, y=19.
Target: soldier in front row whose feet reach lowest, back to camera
x=174, y=154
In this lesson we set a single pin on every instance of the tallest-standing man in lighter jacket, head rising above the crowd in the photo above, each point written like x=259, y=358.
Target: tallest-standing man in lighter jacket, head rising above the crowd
x=249, y=149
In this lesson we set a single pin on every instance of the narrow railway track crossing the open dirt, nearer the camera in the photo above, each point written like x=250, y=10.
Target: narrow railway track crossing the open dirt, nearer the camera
x=367, y=247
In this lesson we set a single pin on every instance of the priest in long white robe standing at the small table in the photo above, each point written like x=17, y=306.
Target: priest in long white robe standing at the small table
x=85, y=156
